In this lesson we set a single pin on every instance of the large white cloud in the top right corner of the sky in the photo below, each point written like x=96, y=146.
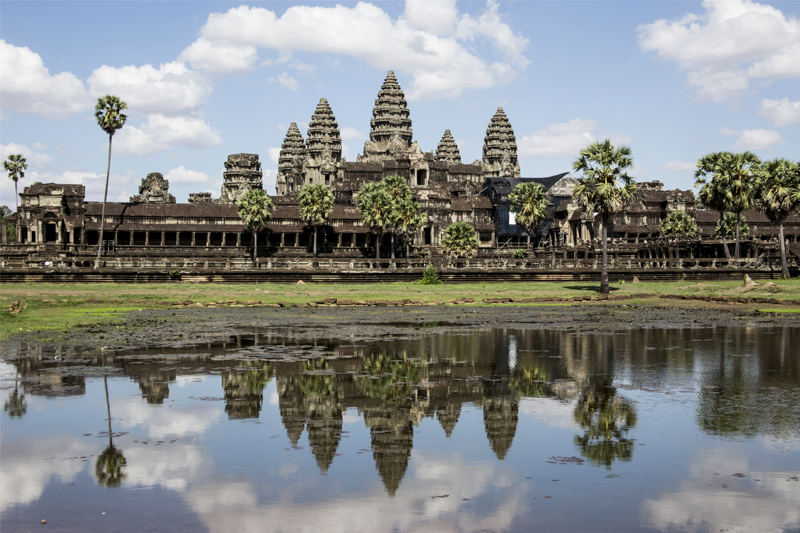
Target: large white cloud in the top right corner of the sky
x=731, y=43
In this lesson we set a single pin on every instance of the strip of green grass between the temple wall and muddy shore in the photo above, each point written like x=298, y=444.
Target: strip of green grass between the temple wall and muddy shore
x=60, y=306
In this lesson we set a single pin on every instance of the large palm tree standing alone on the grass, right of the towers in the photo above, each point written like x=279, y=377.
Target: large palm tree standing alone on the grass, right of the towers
x=605, y=188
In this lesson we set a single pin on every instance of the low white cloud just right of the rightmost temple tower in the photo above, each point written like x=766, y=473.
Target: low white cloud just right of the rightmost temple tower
x=565, y=139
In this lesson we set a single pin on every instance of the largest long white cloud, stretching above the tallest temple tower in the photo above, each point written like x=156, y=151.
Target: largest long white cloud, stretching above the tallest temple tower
x=439, y=52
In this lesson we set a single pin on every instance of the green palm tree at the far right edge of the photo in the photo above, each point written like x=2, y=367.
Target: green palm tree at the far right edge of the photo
x=776, y=181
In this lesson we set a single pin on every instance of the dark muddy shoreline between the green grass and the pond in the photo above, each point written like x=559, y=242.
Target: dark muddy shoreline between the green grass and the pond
x=176, y=328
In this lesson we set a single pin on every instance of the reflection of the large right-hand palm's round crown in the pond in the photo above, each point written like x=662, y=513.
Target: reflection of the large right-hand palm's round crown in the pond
x=605, y=418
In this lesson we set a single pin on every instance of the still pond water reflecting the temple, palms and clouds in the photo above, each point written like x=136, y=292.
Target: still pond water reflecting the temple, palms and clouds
x=487, y=430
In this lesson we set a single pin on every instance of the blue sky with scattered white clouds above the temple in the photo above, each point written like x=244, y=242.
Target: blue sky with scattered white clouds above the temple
x=673, y=80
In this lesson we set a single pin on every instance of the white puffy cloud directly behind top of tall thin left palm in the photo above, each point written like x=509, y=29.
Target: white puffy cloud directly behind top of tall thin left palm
x=170, y=89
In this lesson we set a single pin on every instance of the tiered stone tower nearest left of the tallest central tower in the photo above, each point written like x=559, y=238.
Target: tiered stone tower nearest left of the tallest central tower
x=323, y=146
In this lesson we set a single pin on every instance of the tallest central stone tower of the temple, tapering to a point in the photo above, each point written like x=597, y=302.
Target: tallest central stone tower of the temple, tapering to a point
x=390, y=128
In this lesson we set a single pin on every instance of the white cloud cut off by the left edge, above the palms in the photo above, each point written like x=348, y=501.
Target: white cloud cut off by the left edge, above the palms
x=26, y=86
